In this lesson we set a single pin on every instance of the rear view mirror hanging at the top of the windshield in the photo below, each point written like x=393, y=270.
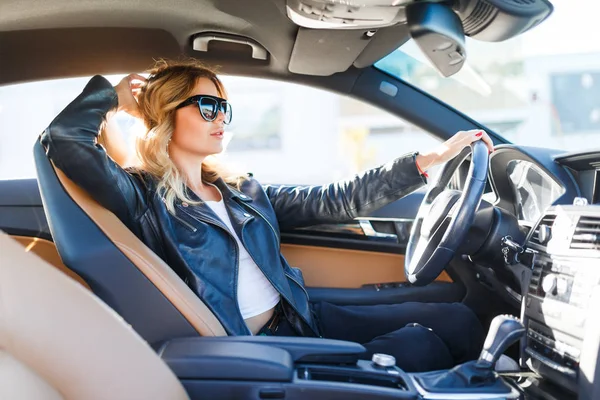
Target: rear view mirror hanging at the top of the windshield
x=438, y=32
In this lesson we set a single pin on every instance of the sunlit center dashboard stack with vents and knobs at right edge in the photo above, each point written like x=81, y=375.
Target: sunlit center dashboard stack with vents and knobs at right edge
x=561, y=305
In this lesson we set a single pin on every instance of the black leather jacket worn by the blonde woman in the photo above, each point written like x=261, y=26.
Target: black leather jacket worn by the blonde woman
x=194, y=242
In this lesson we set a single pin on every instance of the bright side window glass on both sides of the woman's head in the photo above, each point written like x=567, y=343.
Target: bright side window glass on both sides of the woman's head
x=281, y=132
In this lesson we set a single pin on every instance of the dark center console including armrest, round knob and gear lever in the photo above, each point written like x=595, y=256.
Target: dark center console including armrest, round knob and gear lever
x=262, y=367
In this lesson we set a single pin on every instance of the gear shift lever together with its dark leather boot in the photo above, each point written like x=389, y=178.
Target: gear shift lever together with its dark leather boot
x=478, y=375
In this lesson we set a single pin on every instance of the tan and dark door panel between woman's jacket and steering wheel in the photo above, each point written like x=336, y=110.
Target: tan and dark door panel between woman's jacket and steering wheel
x=362, y=261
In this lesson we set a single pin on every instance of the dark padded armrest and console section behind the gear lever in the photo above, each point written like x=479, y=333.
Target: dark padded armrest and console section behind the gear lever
x=261, y=367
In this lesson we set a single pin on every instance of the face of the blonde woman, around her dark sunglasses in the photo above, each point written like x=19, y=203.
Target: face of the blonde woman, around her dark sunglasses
x=193, y=134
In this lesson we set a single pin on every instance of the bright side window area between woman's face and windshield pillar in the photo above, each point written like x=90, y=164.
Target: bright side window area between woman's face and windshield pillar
x=288, y=133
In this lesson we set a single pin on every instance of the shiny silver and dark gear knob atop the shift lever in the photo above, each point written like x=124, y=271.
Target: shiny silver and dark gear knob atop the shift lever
x=504, y=331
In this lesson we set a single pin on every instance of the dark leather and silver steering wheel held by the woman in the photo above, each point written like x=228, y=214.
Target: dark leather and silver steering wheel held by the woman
x=444, y=217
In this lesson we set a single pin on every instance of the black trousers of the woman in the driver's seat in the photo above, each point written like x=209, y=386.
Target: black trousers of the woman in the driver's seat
x=421, y=336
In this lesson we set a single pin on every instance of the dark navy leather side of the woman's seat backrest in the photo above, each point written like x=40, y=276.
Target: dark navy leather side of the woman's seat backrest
x=115, y=279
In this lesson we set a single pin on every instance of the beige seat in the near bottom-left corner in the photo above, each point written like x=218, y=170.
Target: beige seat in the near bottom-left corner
x=57, y=340
